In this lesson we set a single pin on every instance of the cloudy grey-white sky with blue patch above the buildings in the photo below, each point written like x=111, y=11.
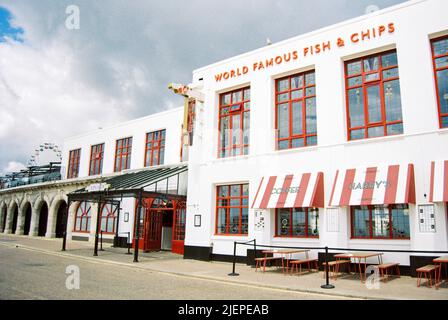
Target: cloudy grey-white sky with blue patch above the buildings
x=57, y=81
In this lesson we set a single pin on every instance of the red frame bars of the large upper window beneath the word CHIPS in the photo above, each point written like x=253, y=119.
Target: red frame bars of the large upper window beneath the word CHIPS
x=363, y=86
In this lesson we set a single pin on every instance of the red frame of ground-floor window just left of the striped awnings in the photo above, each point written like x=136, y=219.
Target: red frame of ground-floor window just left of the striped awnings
x=227, y=207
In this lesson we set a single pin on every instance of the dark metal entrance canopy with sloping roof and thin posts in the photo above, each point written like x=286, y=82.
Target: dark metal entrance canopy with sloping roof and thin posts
x=127, y=185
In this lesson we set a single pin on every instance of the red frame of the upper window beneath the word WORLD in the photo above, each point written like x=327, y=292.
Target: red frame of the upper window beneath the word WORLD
x=228, y=110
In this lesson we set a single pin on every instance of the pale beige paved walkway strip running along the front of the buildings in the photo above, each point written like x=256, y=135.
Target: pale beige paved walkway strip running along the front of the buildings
x=166, y=262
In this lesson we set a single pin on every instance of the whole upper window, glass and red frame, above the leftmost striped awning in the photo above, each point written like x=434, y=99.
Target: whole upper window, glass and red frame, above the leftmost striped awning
x=295, y=111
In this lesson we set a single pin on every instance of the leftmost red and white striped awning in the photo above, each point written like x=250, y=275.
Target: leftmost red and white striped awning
x=290, y=191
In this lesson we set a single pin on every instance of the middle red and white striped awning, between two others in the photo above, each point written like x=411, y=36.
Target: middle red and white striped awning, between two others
x=374, y=185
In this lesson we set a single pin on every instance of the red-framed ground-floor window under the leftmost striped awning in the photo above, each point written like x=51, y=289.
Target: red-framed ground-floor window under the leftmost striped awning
x=297, y=222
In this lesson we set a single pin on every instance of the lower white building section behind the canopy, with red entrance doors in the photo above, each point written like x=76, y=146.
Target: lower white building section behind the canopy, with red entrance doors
x=145, y=152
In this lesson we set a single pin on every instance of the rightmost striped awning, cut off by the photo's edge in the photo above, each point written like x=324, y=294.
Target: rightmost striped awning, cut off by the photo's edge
x=439, y=181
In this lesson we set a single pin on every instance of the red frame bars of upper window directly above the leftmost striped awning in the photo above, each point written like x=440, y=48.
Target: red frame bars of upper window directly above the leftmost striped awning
x=305, y=87
